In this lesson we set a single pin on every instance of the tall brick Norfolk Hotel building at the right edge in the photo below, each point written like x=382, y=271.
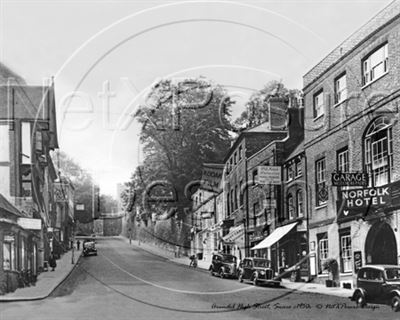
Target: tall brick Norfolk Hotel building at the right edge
x=352, y=110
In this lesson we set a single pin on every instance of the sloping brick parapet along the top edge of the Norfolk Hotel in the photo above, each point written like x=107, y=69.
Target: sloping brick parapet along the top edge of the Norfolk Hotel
x=387, y=15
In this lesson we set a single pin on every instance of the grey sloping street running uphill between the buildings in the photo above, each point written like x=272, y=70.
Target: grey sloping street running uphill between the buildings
x=134, y=284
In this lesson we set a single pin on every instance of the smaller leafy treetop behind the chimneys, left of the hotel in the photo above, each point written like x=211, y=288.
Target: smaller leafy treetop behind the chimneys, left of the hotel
x=257, y=106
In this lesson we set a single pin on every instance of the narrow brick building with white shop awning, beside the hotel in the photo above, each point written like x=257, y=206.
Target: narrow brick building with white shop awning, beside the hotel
x=277, y=228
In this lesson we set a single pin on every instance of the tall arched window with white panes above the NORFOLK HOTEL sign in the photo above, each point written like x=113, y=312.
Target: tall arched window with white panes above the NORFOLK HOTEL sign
x=378, y=151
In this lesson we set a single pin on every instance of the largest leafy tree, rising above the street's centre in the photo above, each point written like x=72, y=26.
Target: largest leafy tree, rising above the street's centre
x=182, y=127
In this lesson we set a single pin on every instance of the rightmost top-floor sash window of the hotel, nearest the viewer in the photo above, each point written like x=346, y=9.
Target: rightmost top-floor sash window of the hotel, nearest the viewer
x=375, y=65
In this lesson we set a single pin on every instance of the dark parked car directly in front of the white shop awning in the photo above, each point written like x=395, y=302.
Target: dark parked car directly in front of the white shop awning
x=258, y=271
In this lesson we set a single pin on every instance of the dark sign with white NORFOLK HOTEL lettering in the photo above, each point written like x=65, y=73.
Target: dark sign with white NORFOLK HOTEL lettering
x=363, y=198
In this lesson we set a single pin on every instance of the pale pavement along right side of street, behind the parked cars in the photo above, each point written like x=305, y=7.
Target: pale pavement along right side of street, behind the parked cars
x=204, y=265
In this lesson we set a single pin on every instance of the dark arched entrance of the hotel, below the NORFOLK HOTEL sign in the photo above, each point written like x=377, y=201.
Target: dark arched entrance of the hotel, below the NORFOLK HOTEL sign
x=380, y=246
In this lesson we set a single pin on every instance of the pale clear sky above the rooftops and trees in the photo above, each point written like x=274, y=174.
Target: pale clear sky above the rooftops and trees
x=104, y=57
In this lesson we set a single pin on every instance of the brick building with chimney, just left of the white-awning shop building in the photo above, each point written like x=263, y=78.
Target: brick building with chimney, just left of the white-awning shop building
x=237, y=183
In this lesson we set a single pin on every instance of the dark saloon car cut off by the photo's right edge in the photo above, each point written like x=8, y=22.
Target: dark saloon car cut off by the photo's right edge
x=378, y=284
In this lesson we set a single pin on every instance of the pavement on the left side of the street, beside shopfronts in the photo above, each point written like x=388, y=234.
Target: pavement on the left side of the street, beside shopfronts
x=46, y=282
